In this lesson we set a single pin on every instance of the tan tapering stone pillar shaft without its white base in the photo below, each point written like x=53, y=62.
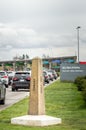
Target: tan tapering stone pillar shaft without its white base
x=37, y=103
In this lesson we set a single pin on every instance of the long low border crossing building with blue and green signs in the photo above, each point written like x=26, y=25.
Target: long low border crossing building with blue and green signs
x=25, y=64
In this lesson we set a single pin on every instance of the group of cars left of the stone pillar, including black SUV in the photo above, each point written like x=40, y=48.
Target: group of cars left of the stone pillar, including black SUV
x=17, y=80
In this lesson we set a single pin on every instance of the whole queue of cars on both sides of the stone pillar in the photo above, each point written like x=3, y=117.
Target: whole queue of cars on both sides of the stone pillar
x=20, y=80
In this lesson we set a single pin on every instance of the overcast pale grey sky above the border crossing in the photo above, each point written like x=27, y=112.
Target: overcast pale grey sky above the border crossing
x=37, y=27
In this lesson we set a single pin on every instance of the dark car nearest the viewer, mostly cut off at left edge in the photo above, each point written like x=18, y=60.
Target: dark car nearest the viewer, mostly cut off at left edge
x=2, y=92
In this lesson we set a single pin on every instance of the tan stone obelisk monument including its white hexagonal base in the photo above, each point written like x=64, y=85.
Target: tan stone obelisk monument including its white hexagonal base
x=36, y=114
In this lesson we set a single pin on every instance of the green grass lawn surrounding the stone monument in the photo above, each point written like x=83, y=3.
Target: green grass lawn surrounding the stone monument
x=62, y=100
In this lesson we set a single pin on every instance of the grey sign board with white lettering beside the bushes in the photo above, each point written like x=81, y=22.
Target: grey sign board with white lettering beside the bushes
x=68, y=72
